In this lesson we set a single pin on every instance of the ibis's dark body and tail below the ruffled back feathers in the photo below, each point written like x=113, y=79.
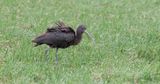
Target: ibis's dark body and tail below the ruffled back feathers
x=56, y=39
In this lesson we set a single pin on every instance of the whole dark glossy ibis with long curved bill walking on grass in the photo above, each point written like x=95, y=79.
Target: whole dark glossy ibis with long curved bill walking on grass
x=61, y=36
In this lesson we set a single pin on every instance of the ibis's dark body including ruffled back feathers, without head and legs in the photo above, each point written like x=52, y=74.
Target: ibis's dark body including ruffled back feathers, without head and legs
x=57, y=37
